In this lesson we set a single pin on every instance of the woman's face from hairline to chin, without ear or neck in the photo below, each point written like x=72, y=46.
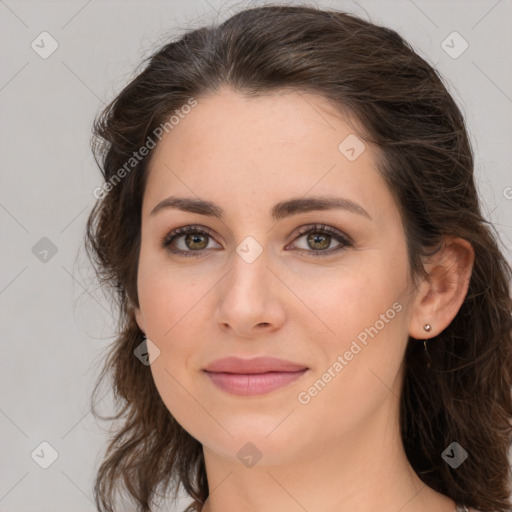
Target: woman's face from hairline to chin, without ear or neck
x=250, y=284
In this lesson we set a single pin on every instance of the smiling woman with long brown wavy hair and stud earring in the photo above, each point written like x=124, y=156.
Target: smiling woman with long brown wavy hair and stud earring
x=314, y=314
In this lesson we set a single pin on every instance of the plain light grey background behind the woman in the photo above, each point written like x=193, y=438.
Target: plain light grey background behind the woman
x=55, y=322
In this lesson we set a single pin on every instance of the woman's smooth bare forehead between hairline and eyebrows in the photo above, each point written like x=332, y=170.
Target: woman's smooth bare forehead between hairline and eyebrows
x=234, y=149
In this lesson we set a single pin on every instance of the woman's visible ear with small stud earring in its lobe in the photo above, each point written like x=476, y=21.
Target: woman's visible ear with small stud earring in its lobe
x=442, y=293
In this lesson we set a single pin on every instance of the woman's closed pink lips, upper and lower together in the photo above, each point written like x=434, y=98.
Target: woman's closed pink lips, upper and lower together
x=253, y=376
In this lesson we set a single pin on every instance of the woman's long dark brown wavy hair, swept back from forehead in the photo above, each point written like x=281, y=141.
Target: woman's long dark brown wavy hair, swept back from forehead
x=425, y=156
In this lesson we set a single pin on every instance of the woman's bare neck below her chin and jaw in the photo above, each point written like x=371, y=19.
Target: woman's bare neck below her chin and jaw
x=364, y=471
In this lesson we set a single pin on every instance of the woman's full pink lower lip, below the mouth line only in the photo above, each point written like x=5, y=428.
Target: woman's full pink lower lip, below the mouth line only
x=255, y=383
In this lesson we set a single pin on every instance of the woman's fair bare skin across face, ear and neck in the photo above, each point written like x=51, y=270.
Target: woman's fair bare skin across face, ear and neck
x=342, y=451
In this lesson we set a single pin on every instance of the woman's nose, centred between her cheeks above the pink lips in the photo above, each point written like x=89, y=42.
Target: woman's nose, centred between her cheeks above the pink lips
x=250, y=299
